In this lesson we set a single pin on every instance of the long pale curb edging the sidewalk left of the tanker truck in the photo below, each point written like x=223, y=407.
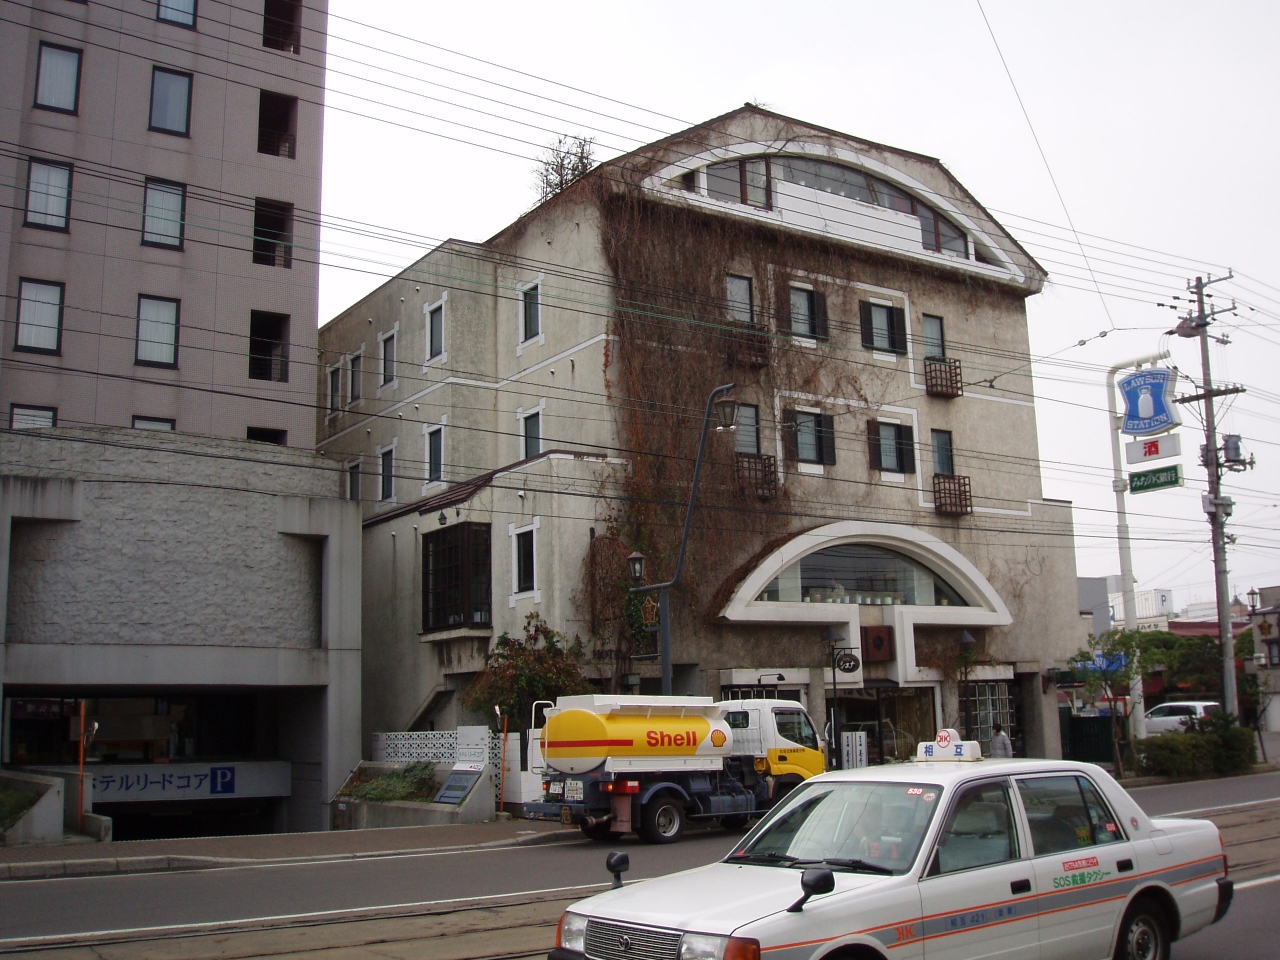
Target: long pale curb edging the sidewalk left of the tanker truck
x=107, y=867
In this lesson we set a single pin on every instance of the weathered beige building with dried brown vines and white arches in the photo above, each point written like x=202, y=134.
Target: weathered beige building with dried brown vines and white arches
x=518, y=417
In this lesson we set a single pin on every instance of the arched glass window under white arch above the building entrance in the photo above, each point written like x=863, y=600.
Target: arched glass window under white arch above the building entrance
x=861, y=574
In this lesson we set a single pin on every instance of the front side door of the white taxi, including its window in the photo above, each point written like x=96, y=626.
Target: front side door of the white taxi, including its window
x=979, y=893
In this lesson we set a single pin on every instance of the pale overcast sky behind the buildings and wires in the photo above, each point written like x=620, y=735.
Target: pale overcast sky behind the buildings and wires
x=1158, y=121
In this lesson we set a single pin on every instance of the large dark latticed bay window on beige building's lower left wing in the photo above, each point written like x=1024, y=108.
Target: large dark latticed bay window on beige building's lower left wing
x=458, y=578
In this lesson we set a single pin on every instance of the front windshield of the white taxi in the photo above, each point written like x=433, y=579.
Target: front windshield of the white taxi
x=858, y=828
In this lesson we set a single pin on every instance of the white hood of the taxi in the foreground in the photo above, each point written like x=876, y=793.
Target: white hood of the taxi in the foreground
x=715, y=899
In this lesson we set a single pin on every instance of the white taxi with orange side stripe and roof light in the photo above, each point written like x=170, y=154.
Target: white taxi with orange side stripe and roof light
x=952, y=857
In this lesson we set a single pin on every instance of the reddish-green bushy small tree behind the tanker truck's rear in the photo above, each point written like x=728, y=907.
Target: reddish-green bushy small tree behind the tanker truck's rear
x=541, y=666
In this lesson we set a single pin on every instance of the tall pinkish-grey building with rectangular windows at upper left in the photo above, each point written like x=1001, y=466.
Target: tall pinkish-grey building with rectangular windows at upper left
x=162, y=167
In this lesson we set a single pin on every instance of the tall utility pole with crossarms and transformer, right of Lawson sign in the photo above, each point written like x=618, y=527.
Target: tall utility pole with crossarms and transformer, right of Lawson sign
x=1217, y=508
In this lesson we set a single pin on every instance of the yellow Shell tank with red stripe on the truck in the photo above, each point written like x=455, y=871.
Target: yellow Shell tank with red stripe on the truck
x=636, y=734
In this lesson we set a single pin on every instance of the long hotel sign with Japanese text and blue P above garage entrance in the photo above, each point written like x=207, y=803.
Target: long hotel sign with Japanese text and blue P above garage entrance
x=190, y=781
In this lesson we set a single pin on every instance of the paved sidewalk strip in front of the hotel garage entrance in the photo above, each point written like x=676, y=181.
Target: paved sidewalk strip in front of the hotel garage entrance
x=76, y=858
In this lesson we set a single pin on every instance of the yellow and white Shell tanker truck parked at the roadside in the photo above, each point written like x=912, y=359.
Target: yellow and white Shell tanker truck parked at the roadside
x=650, y=765
